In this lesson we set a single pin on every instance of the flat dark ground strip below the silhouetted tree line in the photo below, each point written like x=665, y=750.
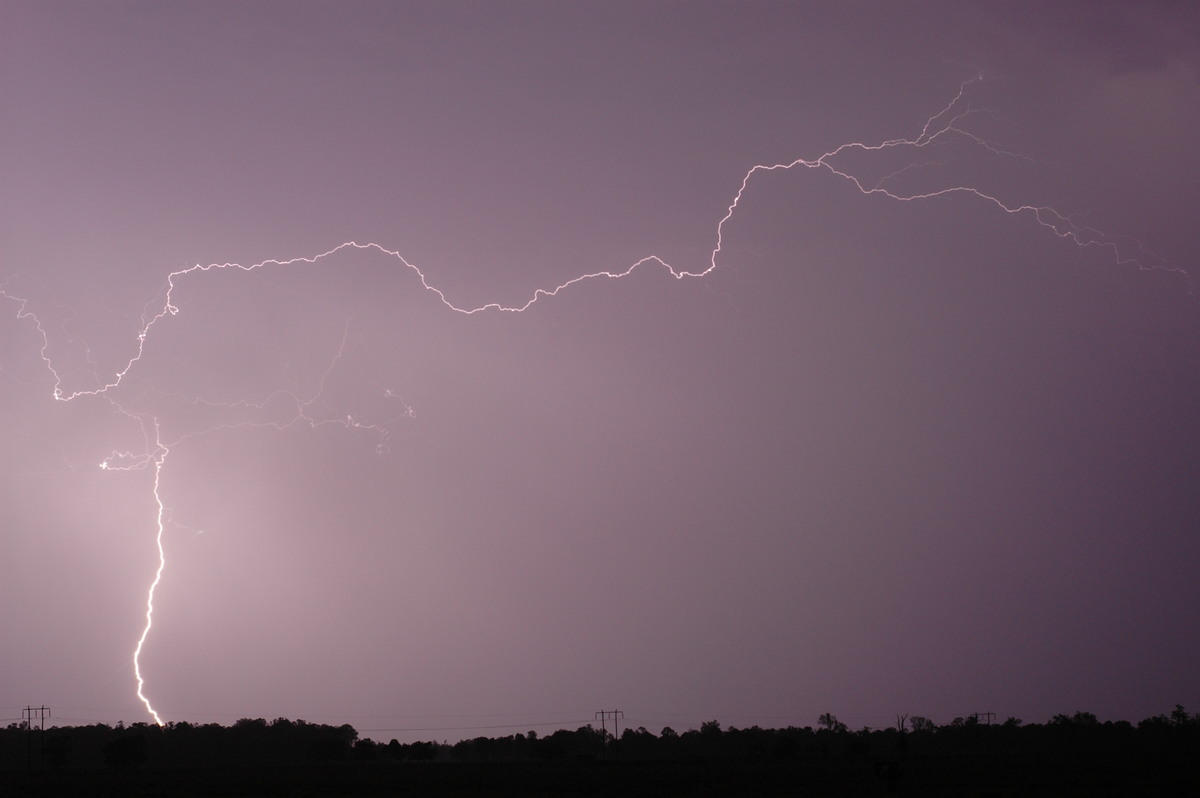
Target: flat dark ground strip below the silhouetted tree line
x=985, y=776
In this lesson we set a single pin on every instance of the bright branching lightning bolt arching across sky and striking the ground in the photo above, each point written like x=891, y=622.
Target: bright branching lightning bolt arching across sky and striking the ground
x=949, y=125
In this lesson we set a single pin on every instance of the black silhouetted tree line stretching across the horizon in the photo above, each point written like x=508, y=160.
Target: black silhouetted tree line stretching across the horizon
x=283, y=742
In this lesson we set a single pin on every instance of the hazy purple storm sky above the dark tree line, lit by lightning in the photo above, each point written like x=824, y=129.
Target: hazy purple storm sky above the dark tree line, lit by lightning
x=890, y=457
